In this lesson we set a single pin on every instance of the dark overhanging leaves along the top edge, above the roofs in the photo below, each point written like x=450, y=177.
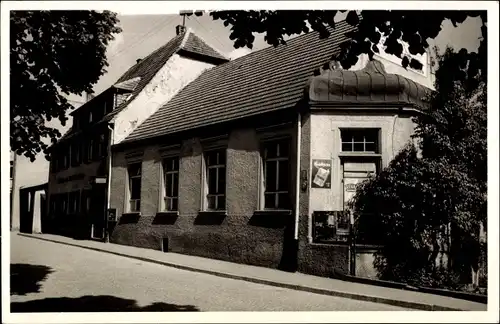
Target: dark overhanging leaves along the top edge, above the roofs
x=411, y=26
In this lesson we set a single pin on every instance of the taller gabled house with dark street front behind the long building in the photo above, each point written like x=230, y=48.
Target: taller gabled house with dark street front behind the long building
x=79, y=168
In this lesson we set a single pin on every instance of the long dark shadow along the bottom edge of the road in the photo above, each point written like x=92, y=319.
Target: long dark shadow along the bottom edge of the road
x=94, y=304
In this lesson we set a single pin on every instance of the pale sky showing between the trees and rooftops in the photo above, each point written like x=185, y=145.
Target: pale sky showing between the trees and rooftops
x=142, y=34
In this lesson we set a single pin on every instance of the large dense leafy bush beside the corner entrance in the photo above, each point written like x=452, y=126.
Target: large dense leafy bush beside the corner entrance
x=433, y=195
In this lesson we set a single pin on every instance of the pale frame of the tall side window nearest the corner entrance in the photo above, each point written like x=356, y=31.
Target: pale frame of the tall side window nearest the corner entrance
x=264, y=143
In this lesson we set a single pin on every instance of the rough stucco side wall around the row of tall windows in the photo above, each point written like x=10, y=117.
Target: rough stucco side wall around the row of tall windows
x=239, y=237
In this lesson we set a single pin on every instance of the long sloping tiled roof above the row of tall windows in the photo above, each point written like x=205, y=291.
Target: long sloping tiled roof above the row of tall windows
x=263, y=81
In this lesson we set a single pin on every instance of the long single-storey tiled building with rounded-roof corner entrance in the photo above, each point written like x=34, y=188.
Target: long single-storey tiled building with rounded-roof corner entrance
x=253, y=161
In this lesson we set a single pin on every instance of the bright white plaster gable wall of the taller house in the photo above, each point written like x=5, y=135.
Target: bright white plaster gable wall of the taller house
x=177, y=73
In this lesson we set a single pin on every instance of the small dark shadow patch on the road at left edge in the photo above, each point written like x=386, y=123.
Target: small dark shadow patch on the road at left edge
x=26, y=278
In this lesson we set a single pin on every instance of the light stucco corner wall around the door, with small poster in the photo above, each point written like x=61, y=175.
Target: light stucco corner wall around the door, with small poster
x=321, y=140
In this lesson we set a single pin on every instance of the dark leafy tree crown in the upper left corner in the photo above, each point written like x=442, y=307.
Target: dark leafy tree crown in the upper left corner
x=52, y=53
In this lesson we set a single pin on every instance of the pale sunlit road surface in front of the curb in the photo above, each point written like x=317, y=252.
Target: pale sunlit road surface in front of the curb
x=52, y=277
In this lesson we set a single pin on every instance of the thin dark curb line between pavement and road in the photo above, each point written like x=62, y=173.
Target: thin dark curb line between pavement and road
x=380, y=300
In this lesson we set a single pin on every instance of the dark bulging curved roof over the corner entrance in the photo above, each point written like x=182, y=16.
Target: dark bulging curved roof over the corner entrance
x=370, y=85
